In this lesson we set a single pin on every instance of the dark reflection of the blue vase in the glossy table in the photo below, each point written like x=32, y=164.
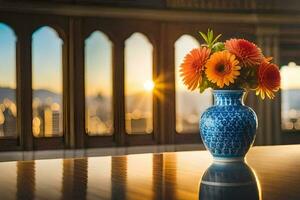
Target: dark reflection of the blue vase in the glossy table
x=229, y=181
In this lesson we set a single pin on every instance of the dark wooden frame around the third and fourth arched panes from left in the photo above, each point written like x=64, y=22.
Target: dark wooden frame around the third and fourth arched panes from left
x=119, y=136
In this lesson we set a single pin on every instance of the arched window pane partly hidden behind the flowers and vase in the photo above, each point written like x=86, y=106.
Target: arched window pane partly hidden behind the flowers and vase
x=187, y=117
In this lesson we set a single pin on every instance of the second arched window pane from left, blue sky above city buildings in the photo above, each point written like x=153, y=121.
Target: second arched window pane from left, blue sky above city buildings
x=47, y=101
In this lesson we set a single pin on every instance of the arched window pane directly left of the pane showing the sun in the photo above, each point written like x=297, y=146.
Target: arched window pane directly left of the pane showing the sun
x=98, y=84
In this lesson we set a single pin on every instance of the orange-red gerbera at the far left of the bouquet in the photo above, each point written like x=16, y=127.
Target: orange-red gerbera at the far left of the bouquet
x=192, y=67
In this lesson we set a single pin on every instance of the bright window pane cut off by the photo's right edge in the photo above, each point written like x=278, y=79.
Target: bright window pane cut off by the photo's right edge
x=290, y=107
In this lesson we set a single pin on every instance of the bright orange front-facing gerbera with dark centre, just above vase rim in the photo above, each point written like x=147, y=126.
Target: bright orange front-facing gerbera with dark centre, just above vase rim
x=222, y=68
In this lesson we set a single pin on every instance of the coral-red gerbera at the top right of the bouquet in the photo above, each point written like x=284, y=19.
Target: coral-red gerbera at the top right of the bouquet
x=246, y=52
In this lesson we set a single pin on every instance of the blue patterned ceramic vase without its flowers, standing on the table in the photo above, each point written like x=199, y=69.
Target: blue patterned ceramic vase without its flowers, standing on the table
x=228, y=128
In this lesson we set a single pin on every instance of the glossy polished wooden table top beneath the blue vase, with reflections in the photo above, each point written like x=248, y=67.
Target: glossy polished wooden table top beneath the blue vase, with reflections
x=271, y=172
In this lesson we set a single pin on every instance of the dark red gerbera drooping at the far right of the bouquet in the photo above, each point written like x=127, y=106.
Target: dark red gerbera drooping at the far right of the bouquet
x=268, y=79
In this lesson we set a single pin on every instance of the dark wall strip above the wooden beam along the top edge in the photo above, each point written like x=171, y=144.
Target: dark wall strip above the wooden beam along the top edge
x=232, y=6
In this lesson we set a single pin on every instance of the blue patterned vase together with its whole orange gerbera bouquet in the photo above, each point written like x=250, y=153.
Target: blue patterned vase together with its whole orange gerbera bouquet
x=230, y=68
